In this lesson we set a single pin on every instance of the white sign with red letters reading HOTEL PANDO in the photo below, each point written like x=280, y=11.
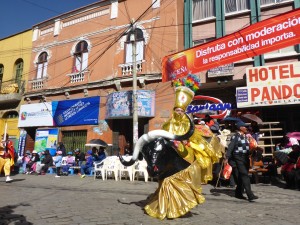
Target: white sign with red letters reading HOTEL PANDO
x=270, y=85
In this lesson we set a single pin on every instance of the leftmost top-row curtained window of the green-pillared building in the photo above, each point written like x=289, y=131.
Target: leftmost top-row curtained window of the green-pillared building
x=203, y=9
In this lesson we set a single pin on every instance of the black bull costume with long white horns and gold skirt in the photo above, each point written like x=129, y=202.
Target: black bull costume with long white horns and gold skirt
x=179, y=180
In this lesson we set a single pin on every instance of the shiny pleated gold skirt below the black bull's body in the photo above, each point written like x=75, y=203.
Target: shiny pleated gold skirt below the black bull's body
x=177, y=194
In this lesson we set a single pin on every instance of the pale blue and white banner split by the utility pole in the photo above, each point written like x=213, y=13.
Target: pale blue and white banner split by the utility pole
x=119, y=104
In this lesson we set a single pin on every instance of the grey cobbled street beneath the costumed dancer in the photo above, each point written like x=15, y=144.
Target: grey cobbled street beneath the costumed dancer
x=45, y=199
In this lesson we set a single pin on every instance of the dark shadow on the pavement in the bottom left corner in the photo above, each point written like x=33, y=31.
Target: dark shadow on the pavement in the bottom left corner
x=7, y=216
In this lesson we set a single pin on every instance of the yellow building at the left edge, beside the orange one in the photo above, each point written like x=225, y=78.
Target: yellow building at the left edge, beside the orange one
x=15, y=55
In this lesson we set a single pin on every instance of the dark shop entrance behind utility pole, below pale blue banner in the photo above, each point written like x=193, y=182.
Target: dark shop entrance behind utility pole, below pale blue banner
x=123, y=132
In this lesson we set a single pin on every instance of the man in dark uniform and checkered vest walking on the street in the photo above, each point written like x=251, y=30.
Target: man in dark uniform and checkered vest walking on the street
x=238, y=157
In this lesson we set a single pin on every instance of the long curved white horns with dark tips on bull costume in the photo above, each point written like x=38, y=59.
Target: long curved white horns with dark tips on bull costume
x=151, y=136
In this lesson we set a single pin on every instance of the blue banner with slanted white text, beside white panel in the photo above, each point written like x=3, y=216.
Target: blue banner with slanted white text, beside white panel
x=84, y=111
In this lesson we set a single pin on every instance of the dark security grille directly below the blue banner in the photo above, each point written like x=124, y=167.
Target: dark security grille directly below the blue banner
x=74, y=139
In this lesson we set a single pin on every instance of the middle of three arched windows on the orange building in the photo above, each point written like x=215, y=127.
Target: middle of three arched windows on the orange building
x=80, y=57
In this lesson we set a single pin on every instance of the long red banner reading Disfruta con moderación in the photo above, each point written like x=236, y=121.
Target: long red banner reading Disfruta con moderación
x=266, y=36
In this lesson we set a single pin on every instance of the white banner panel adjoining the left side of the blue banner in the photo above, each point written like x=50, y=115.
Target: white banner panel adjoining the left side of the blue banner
x=35, y=115
